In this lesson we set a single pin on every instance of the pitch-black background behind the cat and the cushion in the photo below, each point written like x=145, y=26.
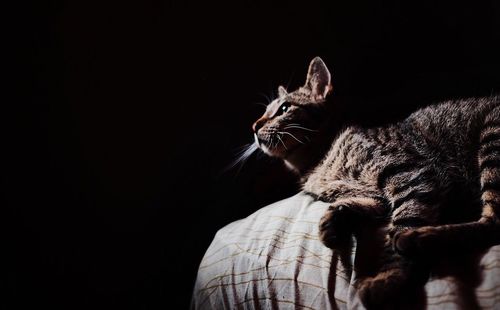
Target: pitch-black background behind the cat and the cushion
x=125, y=114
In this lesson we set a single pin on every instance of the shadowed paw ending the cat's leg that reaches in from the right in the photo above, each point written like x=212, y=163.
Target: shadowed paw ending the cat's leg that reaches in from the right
x=414, y=242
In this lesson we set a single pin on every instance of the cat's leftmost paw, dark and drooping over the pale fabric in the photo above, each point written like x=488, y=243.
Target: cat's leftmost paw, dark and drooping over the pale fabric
x=335, y=227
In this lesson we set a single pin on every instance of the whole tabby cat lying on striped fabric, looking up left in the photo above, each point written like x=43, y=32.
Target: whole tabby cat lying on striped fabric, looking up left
x=404, y=175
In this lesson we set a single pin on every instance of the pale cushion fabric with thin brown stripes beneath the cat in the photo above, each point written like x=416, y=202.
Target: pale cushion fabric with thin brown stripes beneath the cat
x=273, y=259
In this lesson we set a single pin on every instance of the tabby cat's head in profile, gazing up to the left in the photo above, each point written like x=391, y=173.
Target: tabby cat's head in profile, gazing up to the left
x=292, y=120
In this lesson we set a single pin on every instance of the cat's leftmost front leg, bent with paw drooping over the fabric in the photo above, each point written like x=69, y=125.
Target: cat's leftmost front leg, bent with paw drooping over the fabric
x=344, y=217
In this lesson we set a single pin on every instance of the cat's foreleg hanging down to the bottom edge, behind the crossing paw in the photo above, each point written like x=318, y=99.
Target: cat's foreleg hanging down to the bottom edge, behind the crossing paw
x=397, y=275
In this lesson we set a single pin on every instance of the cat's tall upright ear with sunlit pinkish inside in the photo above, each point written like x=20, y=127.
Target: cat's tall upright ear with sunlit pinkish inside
x=318, y=79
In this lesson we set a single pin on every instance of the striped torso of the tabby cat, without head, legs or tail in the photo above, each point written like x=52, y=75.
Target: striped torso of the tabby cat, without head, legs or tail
x=426, y=157
